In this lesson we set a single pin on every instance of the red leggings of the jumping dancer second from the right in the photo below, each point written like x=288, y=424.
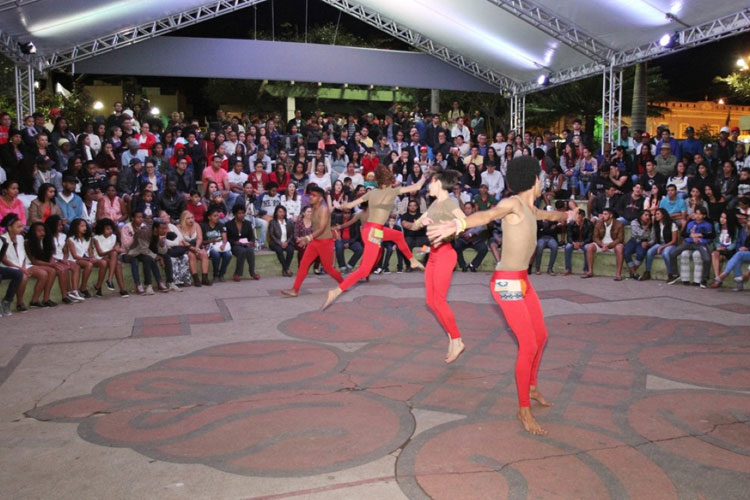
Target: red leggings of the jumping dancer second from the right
x=437, y=280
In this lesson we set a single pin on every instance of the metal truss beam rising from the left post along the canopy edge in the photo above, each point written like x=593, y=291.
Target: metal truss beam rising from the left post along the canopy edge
x=142, y=32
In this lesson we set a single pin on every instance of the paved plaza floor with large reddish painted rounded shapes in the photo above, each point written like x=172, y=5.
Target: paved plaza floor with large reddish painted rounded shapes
x=232, y=392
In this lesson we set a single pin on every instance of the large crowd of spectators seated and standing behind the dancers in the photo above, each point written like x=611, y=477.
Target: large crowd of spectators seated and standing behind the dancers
x=178, y=201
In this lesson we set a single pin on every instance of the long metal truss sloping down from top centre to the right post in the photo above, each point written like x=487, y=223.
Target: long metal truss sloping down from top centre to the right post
x=423, y=43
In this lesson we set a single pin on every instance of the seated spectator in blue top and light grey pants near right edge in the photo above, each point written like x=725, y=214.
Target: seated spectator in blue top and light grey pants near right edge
x=698, y=234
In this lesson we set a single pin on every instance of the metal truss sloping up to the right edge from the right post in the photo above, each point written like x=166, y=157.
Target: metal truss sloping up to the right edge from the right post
x=708, y=32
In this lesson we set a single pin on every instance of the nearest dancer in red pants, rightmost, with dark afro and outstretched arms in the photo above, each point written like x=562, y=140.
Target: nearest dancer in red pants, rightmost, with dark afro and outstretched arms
x=510, y=284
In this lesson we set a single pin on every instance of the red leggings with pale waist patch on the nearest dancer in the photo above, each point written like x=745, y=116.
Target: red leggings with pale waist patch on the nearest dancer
x=514, y=294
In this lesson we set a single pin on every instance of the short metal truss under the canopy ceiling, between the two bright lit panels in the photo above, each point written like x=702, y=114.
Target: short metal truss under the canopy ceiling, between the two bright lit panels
x=555, y=27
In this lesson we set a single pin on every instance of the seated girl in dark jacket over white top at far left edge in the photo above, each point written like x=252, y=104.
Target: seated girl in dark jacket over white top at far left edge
x=15, y=258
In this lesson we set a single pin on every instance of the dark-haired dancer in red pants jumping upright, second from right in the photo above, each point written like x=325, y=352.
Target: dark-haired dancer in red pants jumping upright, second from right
x=439, y=272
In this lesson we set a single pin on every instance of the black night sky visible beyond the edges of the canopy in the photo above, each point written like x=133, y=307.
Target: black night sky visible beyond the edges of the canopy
x=690, y=72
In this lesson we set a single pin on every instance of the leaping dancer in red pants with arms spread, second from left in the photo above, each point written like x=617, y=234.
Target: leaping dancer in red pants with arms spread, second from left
x=380, y=203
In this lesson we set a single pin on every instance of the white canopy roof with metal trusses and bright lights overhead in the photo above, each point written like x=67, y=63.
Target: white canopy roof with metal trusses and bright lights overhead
x=507, y=43
